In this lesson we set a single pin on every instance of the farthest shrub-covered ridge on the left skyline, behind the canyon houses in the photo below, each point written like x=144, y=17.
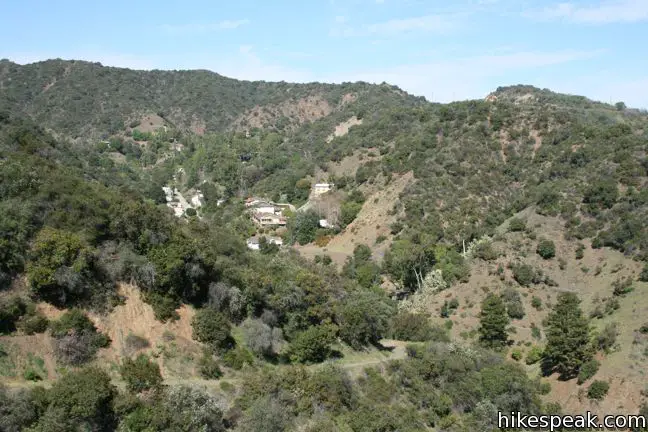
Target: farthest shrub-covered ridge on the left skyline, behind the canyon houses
x=82, y=99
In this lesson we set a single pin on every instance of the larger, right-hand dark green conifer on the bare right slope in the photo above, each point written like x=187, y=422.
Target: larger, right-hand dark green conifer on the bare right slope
x=568, y=337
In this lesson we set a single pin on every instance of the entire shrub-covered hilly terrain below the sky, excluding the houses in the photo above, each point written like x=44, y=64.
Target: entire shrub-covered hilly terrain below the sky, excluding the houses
x=446, y=222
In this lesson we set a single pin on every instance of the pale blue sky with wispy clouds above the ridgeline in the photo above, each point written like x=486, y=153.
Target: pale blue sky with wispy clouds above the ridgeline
x=443, y=50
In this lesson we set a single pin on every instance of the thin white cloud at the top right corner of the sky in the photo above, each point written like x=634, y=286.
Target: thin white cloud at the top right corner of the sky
x=620, y=11
